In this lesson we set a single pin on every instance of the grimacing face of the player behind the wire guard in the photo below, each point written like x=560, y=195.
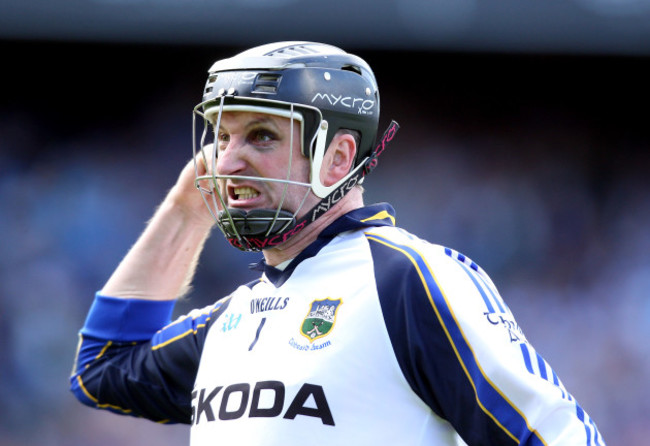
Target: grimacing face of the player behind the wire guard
x=259, y=145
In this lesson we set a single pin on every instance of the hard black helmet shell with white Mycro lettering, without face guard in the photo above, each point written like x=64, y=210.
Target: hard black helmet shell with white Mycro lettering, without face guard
x=315, y=77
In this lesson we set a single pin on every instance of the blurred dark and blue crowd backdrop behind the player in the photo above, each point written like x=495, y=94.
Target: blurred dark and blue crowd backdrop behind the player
x=533, y=165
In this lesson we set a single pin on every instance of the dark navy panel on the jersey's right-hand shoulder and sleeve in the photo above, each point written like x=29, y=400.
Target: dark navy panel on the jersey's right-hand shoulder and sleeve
x=408, y=296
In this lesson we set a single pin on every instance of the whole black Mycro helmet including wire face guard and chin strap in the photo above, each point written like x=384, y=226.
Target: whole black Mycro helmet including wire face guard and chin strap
x=319, y=87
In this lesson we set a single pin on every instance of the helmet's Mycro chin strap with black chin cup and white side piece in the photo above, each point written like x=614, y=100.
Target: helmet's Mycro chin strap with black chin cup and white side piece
x=260, y=229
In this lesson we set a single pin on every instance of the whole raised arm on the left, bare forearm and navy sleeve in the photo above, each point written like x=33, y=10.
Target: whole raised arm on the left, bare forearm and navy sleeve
x=126, y=361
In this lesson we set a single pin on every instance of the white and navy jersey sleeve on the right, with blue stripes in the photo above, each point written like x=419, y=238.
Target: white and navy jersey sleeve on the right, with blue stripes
x=462, y=352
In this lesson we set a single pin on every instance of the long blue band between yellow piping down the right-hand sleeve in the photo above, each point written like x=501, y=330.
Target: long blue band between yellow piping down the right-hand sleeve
x=489, y=398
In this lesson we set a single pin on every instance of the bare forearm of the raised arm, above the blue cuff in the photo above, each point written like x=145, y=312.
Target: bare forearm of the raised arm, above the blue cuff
x=161, y=264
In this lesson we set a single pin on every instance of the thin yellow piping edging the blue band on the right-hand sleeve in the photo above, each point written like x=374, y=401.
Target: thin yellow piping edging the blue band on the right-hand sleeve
x=379, y=239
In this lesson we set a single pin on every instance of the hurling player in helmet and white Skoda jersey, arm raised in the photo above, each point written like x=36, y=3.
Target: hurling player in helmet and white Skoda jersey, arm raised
x=357, y=332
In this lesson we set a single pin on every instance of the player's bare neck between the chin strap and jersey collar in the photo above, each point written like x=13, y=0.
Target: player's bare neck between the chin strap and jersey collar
x=294, y=246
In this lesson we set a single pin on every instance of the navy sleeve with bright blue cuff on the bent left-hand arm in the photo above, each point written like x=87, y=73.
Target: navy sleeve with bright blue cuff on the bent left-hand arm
x=133, y=360
